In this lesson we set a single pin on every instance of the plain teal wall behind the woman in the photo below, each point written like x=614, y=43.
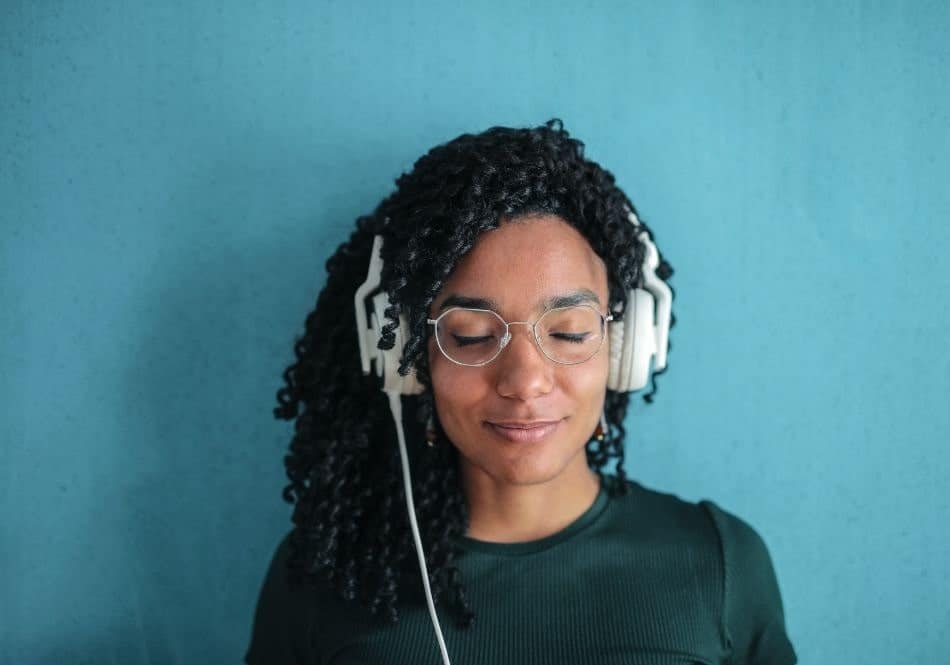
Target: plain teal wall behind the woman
x=173, y=177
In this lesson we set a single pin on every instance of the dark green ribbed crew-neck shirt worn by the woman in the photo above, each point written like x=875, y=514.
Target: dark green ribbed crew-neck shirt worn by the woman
x=641, y=579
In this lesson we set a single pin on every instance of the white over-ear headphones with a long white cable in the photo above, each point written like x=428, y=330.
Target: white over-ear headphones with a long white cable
x=640, y=335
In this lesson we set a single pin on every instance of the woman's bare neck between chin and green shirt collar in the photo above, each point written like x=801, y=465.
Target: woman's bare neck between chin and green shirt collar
x=504, y=512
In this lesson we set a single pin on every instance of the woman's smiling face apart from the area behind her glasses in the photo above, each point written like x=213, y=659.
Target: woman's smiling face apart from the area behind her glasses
x=522, y=419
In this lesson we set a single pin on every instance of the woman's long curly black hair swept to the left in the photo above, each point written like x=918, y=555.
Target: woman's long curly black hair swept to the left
x=351, y=531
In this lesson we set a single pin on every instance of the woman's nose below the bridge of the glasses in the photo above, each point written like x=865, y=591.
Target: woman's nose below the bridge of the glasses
x=522, y=370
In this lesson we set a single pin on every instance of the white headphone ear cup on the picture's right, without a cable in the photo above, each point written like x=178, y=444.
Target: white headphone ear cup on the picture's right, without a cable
x=632, y=343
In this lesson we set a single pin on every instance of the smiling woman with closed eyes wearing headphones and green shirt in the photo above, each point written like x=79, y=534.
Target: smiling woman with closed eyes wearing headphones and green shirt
x=518, y=291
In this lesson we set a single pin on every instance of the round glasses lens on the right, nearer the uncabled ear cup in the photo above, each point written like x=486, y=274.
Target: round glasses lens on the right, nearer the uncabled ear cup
x=571, y=335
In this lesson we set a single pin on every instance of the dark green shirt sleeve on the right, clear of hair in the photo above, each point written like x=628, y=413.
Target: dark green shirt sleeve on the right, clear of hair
x=753, y=617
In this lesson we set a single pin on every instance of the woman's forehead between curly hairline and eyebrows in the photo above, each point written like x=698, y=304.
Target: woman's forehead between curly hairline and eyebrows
x=526, y=262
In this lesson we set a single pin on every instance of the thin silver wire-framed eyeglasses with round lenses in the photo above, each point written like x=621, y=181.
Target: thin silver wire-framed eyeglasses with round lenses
x=475, y=337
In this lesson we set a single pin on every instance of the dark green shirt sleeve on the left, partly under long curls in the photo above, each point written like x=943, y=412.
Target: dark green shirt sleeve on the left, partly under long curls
x=283, y=618
